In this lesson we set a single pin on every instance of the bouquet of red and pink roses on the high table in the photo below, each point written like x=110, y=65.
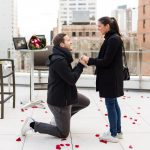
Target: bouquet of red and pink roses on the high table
x=36, y=43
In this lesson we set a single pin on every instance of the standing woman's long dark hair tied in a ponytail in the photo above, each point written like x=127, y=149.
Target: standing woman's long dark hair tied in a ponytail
x=112, y=23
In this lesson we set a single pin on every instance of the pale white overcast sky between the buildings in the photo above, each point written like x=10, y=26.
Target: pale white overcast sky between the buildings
x=39, y=17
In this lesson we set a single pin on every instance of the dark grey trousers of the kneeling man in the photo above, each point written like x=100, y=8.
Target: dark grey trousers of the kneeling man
x=62, y=116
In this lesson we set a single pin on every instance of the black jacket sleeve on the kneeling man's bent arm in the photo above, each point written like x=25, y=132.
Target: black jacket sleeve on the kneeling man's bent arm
x=66, y=73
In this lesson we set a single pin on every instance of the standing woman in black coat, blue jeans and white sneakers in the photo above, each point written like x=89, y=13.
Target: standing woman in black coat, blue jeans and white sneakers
x=109, y=74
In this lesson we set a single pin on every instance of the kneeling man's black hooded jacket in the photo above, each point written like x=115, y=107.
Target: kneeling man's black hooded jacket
x=62, y=78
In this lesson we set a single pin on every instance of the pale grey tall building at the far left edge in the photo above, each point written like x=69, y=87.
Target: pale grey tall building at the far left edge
x=8, y=25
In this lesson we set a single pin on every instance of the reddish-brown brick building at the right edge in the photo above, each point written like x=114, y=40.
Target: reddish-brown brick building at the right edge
x=144, y=34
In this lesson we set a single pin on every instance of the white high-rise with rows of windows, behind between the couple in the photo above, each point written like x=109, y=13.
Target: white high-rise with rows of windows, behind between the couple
x=68, y=8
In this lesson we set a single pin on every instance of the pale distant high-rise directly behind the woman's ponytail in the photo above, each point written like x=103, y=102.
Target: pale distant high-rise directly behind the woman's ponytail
x=127, y=19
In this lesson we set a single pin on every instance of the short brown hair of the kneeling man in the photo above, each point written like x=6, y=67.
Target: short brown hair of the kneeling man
x=59, y=38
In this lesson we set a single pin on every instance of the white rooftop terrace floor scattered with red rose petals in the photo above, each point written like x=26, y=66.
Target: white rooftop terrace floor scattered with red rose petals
x=86, y=126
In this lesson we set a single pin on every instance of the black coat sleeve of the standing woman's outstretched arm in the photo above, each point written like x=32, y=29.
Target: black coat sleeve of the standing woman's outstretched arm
x=112, y=47
